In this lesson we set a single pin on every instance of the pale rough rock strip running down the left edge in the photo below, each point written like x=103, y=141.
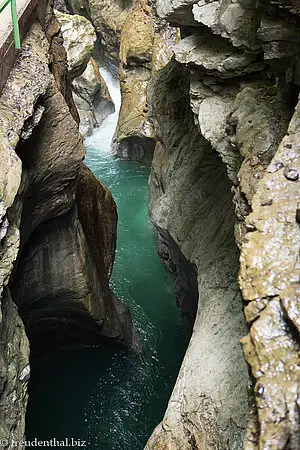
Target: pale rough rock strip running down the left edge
x=32, y=78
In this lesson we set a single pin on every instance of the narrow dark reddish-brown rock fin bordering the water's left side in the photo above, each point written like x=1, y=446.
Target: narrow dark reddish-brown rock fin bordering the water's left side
x=98, y=215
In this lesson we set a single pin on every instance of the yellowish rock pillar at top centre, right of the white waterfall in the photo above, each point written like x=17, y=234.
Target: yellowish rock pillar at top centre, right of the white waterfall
x=134, y=43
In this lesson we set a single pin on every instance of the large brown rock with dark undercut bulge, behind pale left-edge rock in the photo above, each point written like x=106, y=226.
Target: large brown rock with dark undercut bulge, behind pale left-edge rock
x=50, y=296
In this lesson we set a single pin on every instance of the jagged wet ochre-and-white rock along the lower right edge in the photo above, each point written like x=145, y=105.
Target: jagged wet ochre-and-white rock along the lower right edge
x=269, y=279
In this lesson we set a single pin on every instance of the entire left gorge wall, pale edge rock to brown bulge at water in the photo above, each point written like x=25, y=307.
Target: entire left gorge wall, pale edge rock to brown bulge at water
x=53, y=280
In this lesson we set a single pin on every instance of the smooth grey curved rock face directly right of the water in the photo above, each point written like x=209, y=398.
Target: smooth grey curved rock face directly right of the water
x=191, y=206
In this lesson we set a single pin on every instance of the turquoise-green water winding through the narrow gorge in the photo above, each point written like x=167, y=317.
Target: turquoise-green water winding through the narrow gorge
x=113, y=399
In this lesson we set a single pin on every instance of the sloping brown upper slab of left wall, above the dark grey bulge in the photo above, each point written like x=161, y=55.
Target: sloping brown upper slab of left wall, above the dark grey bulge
x=49, y=180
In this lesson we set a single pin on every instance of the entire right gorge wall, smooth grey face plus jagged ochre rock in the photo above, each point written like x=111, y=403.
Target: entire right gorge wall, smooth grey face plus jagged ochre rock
x=240, y=62
